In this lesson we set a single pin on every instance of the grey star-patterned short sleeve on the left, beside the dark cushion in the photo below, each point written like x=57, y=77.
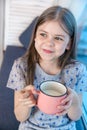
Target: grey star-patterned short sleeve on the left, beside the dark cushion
x=16, y=78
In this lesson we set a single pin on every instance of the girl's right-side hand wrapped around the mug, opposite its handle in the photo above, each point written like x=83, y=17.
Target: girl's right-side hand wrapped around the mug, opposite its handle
x=66, y=103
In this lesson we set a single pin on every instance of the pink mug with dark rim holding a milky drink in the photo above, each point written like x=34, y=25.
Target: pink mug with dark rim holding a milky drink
x=50, y=95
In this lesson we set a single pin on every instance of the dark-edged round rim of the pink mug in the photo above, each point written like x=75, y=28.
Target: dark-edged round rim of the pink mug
x=53, y=95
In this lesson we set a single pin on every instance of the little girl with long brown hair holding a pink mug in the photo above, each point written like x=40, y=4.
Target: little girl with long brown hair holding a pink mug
x=51, y=56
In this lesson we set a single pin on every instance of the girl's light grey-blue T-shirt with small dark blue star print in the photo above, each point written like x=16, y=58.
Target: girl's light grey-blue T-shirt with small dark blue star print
x=73, y=76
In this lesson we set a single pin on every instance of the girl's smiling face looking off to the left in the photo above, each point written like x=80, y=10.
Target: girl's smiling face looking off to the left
x=51, y=41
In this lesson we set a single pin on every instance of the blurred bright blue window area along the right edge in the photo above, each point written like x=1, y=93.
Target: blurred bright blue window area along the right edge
x=82, y=55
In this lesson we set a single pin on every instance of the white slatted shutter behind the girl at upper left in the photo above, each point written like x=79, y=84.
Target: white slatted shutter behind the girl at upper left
x=18, y=15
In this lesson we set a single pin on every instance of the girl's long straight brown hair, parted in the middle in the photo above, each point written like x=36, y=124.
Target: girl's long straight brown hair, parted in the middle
x=68, y=23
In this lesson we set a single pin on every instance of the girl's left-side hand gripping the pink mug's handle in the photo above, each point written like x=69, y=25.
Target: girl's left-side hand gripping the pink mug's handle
x=26, y=97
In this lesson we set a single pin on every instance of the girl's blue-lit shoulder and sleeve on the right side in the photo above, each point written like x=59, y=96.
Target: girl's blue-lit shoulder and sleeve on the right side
x=75, y=76
